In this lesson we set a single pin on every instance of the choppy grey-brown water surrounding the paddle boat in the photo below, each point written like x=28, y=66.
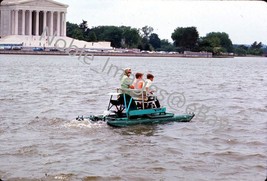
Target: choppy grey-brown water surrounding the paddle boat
x=40, y=96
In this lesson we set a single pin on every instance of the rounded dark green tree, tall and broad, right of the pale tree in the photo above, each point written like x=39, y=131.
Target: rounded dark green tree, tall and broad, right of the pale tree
x=185, y=38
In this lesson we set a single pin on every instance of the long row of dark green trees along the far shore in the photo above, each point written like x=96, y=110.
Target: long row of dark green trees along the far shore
x=184, y=39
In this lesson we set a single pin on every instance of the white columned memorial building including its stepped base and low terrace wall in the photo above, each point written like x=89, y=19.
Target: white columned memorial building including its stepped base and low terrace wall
x=24, y=21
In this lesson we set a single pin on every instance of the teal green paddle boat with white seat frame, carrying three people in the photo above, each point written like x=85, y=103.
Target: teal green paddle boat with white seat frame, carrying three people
x=133, y=107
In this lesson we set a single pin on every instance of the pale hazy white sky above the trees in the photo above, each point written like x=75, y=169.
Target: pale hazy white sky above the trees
x=244, y=21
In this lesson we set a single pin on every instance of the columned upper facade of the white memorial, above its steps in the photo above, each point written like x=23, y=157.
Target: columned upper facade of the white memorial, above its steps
x=30, y=17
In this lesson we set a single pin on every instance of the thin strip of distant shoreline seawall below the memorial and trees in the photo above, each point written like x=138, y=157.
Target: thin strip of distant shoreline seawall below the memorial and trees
x=30, y=52
